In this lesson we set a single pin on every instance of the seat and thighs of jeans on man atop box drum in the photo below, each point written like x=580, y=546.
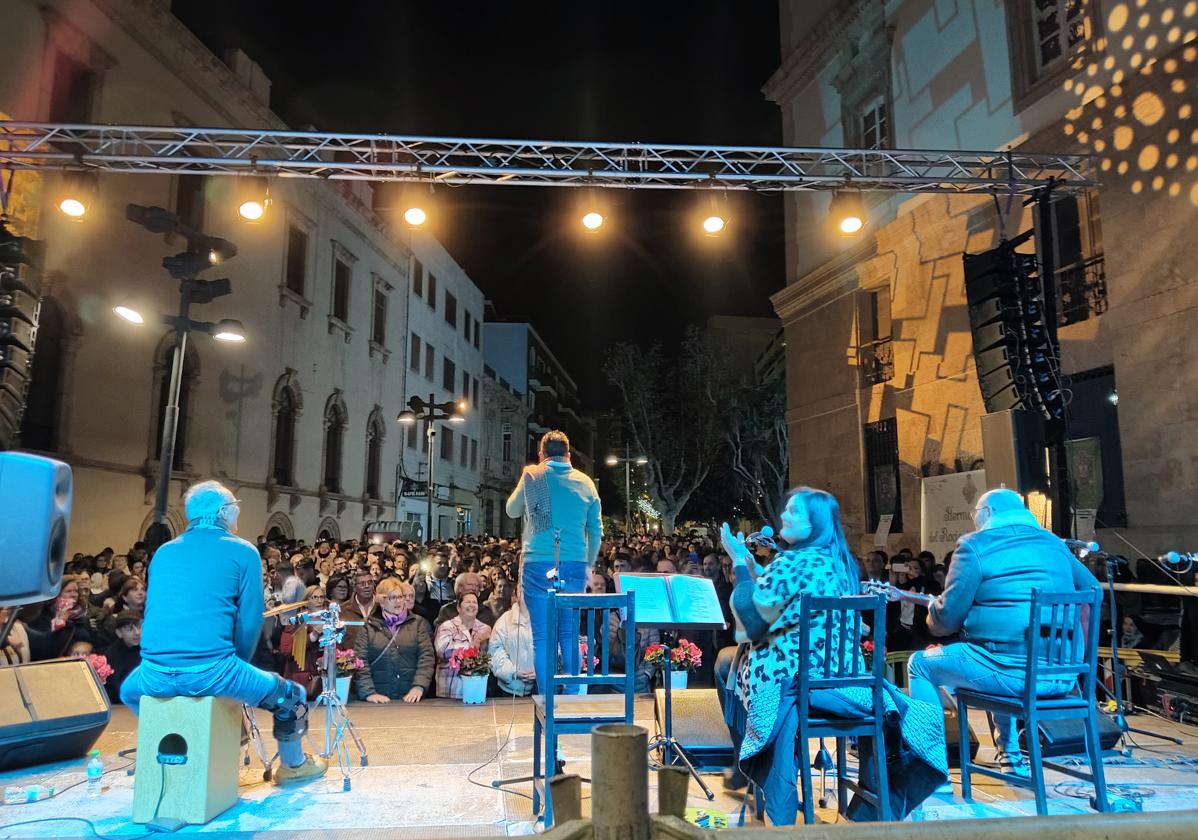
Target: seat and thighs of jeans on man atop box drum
x=229, y=678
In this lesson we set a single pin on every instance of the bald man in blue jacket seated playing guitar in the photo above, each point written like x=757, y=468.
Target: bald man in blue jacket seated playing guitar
x=987, y=600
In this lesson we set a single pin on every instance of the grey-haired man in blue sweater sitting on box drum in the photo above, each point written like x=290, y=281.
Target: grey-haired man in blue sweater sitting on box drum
x=203, y=619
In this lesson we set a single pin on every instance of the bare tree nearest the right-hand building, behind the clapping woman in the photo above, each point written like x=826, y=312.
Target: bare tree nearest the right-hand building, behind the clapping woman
x=759, y=456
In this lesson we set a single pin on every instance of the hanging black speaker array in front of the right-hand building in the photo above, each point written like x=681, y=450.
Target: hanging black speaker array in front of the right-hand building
x=1015, y=347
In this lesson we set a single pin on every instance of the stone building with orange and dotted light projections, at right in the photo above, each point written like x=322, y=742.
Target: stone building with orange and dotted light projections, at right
x=882, y=389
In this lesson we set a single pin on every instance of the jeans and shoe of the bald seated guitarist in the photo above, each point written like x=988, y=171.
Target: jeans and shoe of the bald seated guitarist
x=965, y=666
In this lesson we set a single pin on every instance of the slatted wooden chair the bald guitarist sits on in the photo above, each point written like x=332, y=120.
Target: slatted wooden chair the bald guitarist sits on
x=1063, y=638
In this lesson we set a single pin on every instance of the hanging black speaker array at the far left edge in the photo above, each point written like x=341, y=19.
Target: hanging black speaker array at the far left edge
x=21, y=263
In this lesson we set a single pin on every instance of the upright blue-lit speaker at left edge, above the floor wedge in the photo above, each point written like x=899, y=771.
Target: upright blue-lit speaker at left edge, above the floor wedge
x=35, y=497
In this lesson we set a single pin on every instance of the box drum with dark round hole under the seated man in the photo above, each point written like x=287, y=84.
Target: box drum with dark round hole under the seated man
x=189, y=759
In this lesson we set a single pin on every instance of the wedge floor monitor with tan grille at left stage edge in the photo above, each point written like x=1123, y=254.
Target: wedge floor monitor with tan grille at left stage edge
x=50, y=712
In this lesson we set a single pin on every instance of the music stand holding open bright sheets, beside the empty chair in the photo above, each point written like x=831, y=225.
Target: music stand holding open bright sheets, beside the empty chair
x=671, y=608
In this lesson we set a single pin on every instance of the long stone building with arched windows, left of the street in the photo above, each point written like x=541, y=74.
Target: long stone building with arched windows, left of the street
x=300, y=420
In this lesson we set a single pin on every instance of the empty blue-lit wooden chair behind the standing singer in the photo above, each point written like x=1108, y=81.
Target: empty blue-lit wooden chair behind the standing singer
x=566, y=715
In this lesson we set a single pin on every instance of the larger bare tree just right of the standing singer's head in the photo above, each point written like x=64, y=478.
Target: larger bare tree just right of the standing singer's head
x=673, y=415
